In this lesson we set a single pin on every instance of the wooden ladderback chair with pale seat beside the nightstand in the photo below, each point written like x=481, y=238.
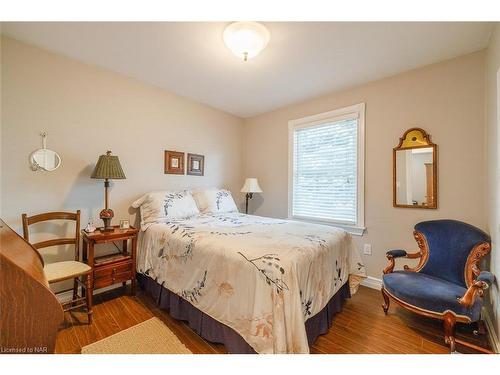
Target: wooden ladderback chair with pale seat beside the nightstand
x=65, y=270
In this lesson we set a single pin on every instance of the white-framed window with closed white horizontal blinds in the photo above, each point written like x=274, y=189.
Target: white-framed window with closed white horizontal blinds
x=326, y=168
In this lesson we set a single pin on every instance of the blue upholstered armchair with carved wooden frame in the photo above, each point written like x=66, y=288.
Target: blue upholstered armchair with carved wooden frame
x=447, y=283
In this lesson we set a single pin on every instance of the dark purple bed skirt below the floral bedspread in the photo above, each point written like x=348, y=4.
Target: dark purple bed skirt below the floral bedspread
x=214, y=331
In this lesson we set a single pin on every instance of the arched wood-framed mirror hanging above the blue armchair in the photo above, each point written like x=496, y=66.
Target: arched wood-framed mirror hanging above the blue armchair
x=415, y=171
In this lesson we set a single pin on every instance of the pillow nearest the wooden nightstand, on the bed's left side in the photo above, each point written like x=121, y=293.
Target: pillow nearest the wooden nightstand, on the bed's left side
x=159, y=206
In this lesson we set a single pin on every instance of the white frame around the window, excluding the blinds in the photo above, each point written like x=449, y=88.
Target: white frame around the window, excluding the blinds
x=340, y=114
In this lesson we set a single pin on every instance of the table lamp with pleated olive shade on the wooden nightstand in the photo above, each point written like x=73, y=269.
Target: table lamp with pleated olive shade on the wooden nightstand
x=108, y=168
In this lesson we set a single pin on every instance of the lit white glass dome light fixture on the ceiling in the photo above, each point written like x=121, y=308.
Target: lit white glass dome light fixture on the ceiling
x=246, y=39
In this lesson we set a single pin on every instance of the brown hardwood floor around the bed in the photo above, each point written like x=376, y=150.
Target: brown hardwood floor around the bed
x=361, y=327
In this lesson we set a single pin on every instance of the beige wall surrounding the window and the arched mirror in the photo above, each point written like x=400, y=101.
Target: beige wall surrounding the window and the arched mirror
x=446, y=99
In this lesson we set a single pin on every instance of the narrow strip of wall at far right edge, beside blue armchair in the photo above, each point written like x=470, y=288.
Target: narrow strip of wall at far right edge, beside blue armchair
x=493, y=182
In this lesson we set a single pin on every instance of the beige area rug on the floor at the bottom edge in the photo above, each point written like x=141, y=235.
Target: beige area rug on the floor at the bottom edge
x=148, y=337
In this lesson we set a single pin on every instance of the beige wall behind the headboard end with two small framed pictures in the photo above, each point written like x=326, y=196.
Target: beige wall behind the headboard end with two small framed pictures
x=87, y=110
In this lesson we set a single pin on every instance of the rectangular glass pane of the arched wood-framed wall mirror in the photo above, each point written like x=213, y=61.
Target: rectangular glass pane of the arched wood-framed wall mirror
x=415, y=177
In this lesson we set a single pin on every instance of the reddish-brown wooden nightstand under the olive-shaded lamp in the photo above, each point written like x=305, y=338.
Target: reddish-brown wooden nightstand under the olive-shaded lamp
x=113, y=268
